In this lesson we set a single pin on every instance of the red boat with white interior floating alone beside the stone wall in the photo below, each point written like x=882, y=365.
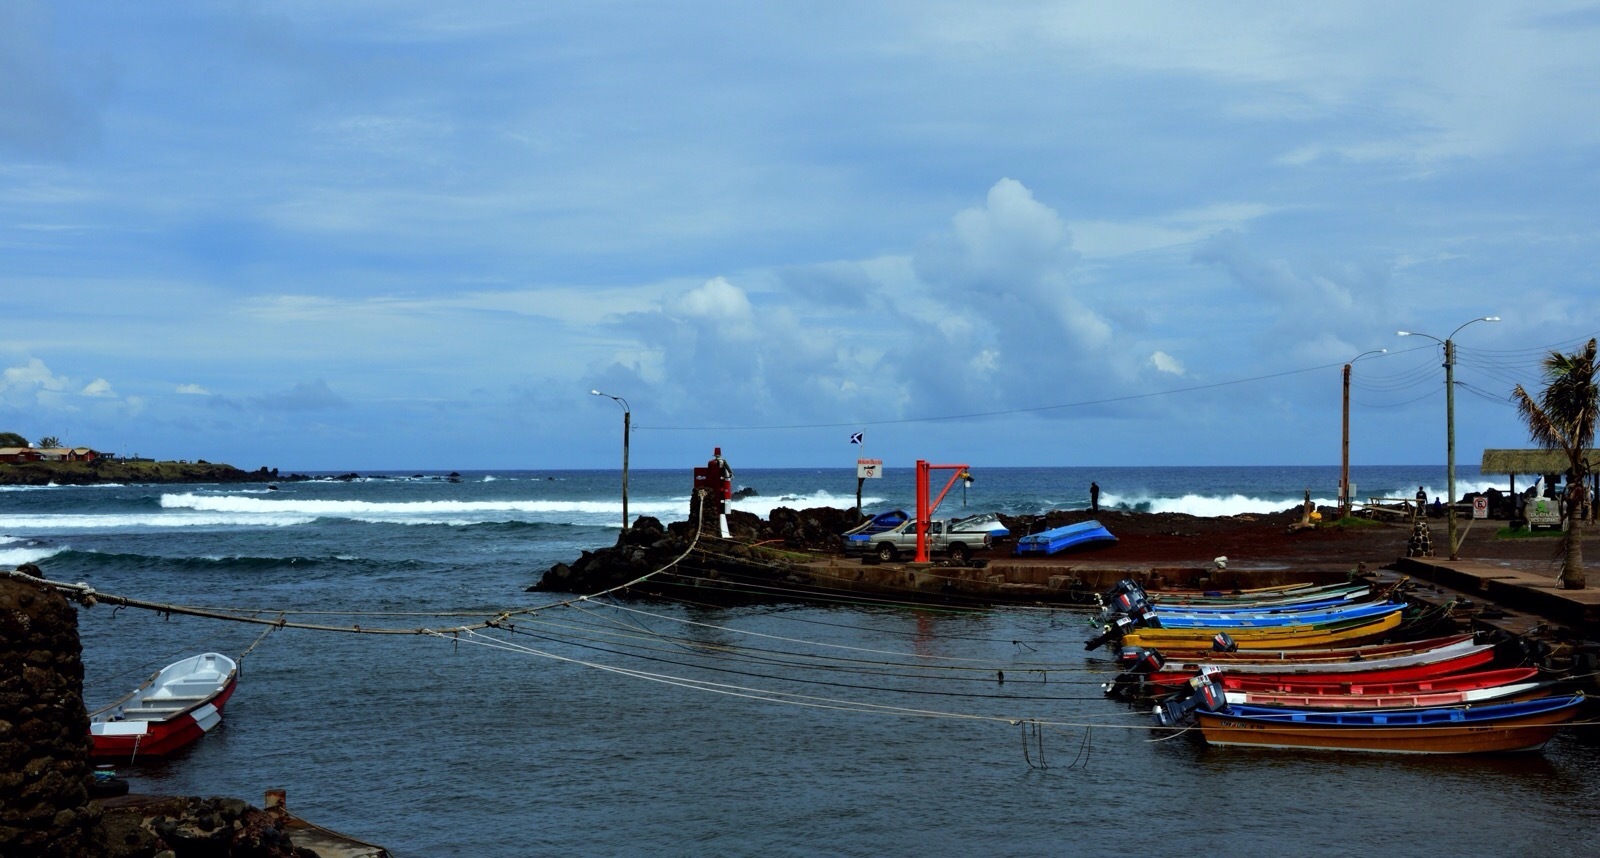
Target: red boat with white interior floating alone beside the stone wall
x=178, y=705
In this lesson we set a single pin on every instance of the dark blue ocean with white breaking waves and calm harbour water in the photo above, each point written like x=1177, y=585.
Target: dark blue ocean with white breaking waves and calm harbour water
x=610, y=728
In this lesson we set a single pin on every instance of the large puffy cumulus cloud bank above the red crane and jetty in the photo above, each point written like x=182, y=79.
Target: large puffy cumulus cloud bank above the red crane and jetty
x=975, y=319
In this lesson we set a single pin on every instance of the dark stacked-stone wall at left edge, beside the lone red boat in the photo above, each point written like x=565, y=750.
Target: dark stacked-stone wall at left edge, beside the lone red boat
x=44, y=729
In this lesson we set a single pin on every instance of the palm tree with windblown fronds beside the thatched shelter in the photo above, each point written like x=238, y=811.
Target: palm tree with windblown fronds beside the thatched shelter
x=1566, y=420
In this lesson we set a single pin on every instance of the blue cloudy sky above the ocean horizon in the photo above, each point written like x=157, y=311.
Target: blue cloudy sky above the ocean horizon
x=417, y=236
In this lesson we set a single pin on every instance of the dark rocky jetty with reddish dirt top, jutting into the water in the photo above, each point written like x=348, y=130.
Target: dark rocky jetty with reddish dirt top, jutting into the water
x=798, y=553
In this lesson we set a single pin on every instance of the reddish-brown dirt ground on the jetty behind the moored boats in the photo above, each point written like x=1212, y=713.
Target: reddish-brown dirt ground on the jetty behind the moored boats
x=1266, y=540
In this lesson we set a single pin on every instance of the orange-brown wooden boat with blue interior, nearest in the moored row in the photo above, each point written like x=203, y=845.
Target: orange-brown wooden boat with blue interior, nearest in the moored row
x=1503, y=728
